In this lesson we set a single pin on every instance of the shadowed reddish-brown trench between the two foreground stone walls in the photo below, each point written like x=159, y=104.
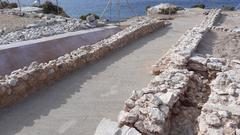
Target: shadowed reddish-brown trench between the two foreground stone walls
x=187, y=110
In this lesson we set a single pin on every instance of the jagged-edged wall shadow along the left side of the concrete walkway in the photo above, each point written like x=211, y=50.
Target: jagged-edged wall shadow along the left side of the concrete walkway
x=15, y=118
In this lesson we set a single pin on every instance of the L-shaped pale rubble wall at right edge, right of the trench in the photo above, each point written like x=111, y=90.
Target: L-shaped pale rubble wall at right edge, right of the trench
x=220, y=115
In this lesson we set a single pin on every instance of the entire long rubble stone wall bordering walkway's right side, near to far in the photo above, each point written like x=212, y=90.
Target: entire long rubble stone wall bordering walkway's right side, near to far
x=150, y=110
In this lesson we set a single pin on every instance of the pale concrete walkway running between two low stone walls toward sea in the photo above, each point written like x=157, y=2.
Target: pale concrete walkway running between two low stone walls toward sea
x=76, y=104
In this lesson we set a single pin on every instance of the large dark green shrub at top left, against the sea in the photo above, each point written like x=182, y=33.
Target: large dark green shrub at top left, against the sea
x=50, y=8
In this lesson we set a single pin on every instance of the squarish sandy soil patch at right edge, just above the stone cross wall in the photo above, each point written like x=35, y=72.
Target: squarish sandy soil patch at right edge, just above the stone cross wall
x=221, y=44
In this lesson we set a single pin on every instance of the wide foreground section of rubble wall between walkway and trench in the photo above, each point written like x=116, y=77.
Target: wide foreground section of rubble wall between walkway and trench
x=150, y=109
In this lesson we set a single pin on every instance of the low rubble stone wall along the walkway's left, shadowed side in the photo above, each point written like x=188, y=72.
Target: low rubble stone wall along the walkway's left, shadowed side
x=21, y=83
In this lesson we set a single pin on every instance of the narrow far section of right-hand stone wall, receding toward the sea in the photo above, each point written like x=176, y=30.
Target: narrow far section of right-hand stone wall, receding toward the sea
x=180, y=53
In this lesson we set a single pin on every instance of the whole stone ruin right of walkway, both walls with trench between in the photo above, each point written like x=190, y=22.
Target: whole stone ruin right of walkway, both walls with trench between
x=191, y=94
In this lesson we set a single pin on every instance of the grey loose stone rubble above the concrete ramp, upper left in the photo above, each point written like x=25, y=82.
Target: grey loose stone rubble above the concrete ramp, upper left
x=46, y=25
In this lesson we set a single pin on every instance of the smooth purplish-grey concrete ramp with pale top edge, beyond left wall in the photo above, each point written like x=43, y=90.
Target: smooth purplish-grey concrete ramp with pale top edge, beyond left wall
x=48, y=48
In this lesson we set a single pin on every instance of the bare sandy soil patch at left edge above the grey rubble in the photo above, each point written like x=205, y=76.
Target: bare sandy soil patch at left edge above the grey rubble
x=12, y=22
